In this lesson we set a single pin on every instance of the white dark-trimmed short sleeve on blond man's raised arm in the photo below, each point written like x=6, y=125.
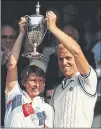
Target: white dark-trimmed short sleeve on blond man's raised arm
x=89, y=82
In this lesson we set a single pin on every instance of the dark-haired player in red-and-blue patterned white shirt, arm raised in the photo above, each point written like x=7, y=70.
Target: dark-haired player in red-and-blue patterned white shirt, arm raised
x=26, y=109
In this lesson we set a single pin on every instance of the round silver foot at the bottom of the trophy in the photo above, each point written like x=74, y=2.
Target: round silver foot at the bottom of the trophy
x=34, y=55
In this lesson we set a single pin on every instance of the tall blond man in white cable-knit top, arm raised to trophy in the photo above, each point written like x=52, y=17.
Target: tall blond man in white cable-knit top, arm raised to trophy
x=74, y=99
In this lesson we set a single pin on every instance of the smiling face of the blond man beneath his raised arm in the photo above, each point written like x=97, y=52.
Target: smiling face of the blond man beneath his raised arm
x=66, y=61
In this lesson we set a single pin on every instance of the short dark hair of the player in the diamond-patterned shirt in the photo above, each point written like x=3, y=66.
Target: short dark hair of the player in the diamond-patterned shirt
x=31, y=69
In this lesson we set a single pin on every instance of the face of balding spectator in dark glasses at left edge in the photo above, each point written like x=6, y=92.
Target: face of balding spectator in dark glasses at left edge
x=8, y=36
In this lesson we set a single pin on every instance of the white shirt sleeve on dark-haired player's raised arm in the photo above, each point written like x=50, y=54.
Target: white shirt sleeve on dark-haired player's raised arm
x=16, y=90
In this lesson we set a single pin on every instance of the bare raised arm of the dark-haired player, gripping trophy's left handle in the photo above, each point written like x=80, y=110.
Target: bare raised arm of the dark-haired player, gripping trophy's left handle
x=12, y=75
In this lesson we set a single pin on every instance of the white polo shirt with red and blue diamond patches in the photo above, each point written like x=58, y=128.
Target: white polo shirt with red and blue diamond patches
x=21, y=112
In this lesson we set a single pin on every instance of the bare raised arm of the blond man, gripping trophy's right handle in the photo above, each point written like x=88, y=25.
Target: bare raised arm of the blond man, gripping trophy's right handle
x=68, y=42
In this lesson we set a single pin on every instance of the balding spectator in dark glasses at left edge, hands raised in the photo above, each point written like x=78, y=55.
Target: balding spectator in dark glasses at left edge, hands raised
x=8, y=37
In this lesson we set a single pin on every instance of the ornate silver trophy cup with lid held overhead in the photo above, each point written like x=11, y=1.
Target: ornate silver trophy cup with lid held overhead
x=35, y=32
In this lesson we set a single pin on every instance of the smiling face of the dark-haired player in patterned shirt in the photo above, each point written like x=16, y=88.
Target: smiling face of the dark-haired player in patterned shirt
x=34, y=85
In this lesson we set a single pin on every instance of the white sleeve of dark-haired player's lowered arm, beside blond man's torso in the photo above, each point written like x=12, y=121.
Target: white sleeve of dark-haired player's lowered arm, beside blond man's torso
x=49, y=116
